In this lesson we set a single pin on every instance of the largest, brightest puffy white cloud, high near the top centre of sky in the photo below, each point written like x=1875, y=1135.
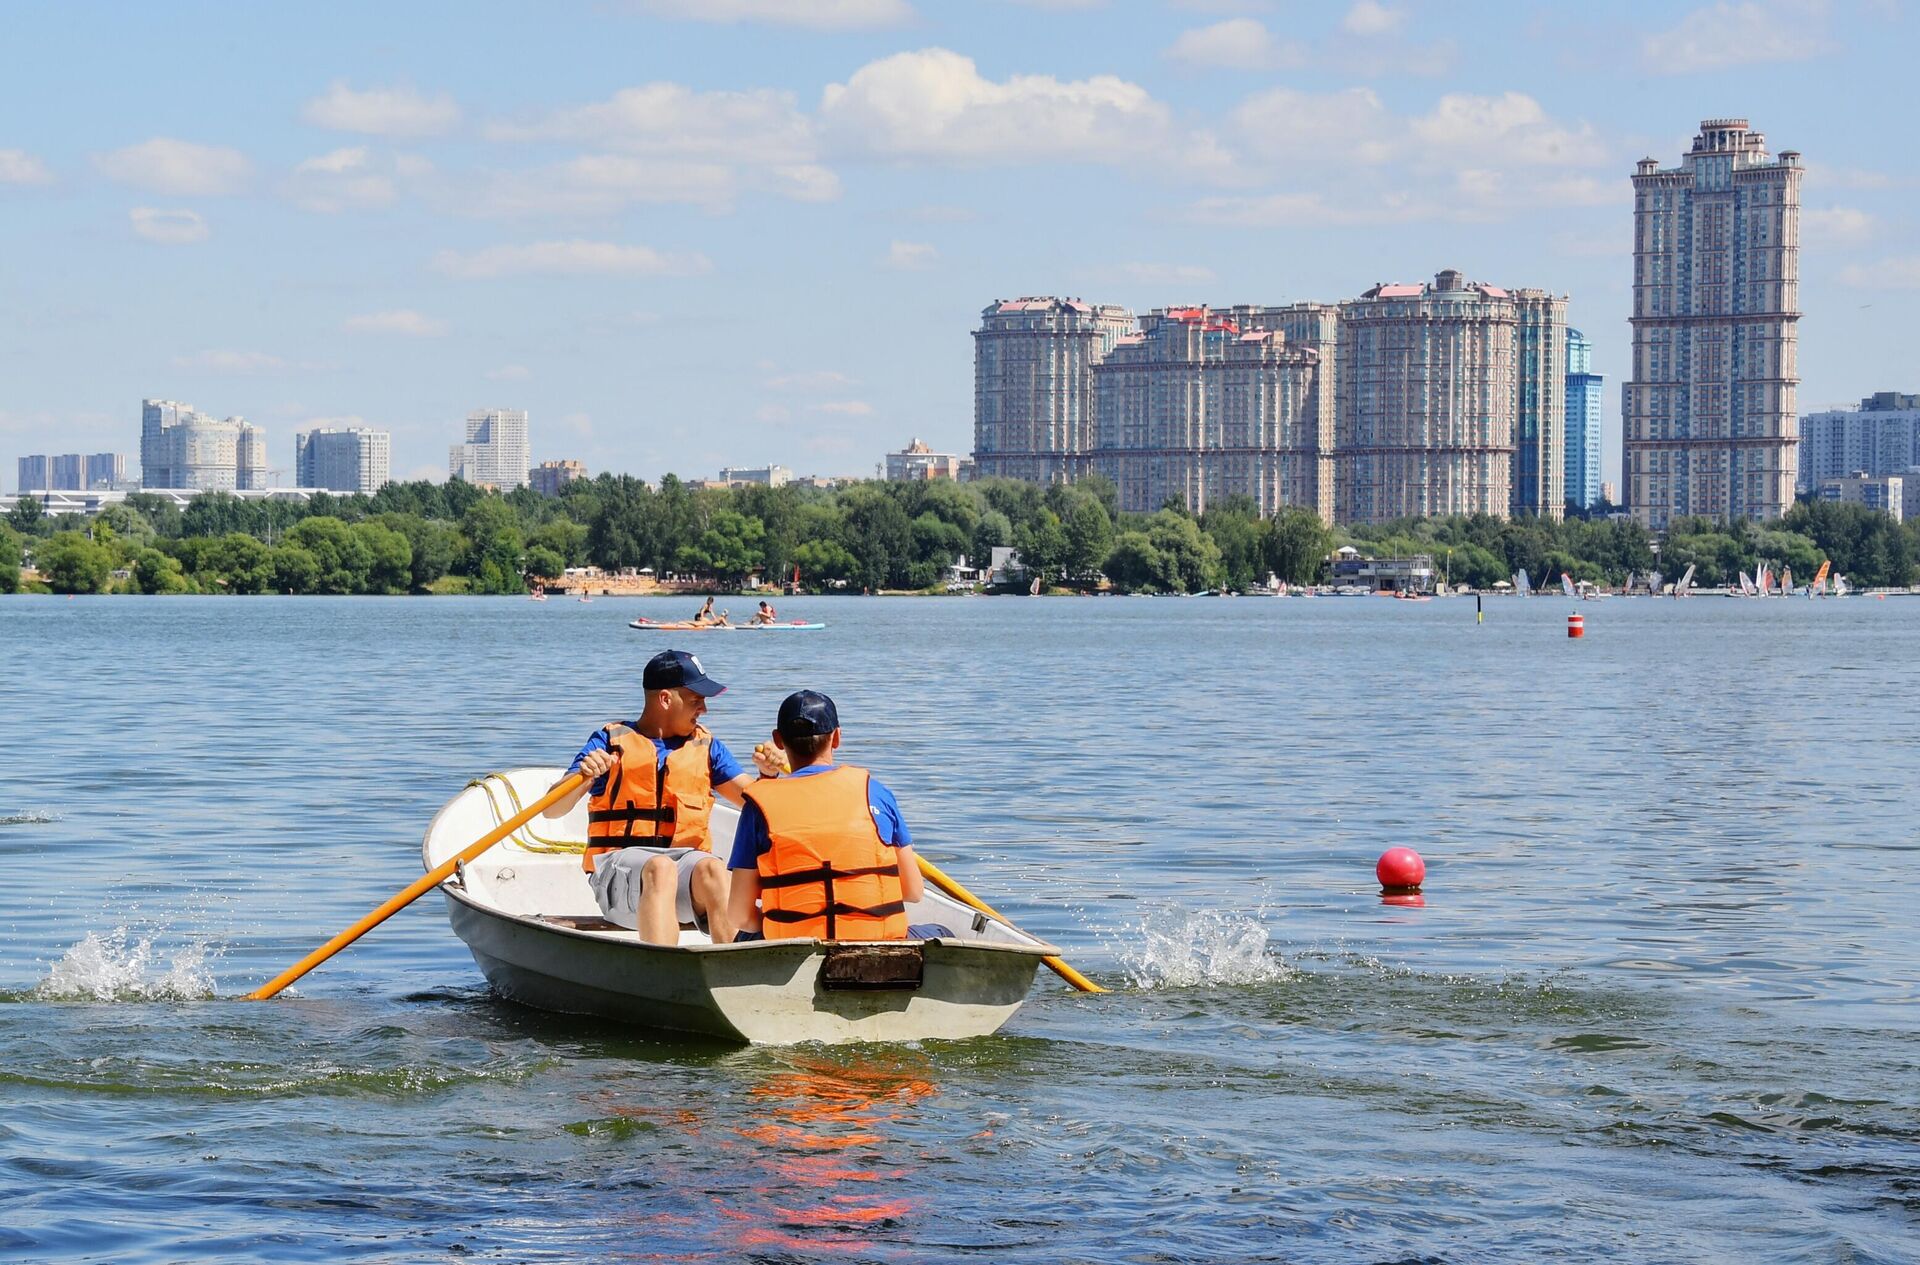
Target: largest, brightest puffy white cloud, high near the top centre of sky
x=934, y=105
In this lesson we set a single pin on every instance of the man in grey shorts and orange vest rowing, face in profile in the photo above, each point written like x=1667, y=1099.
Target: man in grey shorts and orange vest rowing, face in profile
x=654, y=780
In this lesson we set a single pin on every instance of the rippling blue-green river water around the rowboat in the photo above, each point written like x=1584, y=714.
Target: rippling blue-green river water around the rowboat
x=1660, y=1003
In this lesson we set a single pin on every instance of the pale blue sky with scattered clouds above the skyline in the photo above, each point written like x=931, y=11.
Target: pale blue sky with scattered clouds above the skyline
x=700, y=233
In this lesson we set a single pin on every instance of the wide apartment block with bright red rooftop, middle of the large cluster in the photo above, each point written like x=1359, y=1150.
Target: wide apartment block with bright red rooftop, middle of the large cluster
x=1199, y=408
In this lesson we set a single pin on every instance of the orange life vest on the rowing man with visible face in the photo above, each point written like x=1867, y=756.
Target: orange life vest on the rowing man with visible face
x=650, y=803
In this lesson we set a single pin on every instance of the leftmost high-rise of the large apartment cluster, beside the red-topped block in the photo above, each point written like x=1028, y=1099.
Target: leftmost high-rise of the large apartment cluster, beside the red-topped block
x=1034, y=364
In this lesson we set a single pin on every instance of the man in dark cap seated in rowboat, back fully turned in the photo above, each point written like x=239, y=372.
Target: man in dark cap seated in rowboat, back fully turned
x=823, y=853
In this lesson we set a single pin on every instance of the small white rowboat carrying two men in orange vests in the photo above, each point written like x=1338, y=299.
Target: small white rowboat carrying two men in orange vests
x=535, y=930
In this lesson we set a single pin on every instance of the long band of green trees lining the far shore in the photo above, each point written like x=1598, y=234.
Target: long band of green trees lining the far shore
x=454, y=538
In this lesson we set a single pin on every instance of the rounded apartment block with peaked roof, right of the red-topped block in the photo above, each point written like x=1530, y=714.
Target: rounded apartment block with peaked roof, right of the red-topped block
x=1429, y=400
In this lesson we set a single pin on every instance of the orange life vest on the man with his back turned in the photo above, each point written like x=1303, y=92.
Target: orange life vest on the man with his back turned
x=828, y=874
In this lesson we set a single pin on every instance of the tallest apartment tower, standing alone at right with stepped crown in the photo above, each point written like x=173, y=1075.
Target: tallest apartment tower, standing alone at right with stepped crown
x=1710, y=423
